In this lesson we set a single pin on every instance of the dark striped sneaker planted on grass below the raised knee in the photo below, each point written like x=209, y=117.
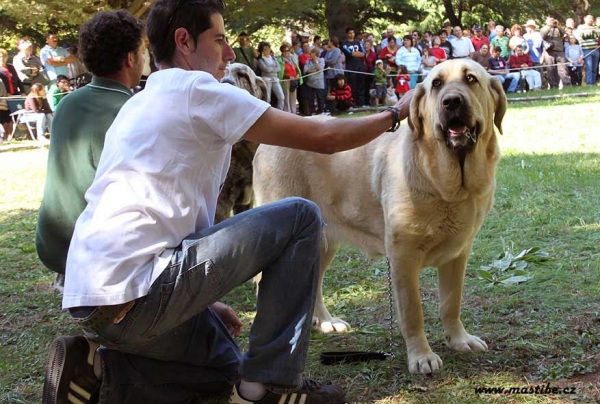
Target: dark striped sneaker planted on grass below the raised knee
x=311, y=392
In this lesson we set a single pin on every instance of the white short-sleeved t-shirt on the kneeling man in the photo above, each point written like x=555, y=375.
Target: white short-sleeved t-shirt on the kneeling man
x=164, y=159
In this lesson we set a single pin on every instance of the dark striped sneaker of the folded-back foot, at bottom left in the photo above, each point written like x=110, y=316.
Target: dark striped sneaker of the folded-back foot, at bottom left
x=70, y=372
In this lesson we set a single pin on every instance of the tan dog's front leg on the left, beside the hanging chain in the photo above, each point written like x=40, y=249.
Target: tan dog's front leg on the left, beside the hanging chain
x=405, y=276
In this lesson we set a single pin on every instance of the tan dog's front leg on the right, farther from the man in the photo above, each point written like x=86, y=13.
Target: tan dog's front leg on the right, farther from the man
x=451, y=277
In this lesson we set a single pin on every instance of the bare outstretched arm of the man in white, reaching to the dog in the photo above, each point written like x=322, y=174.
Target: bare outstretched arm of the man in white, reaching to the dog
x=281, y=128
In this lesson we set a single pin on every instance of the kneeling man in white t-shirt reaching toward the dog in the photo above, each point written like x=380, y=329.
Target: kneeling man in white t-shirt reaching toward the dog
x=146, y=266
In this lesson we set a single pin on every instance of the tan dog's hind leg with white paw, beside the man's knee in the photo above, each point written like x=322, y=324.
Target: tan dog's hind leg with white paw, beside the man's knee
x=322, y=319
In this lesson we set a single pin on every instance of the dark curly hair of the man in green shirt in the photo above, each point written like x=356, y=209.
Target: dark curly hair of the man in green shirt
x=106, y=40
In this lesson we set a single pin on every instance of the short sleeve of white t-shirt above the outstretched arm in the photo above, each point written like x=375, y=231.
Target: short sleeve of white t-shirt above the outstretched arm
x=227, y=110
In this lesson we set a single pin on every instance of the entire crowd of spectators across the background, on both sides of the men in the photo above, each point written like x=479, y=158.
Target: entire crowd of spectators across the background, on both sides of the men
x=306, y=76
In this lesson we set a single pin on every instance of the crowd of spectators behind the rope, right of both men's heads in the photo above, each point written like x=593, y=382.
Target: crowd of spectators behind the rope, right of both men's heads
x=525, y=57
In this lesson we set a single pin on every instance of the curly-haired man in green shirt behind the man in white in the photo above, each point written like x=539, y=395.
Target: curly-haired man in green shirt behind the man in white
x=111, y=47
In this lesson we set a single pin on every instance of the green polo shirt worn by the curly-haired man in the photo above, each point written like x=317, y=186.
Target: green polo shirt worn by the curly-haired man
x=78, y=130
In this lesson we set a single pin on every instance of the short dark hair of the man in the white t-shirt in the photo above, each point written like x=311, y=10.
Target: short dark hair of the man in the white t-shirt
x=163, y=20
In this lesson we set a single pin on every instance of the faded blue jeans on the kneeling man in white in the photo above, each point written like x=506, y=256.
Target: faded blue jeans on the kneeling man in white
x=170, y=345
